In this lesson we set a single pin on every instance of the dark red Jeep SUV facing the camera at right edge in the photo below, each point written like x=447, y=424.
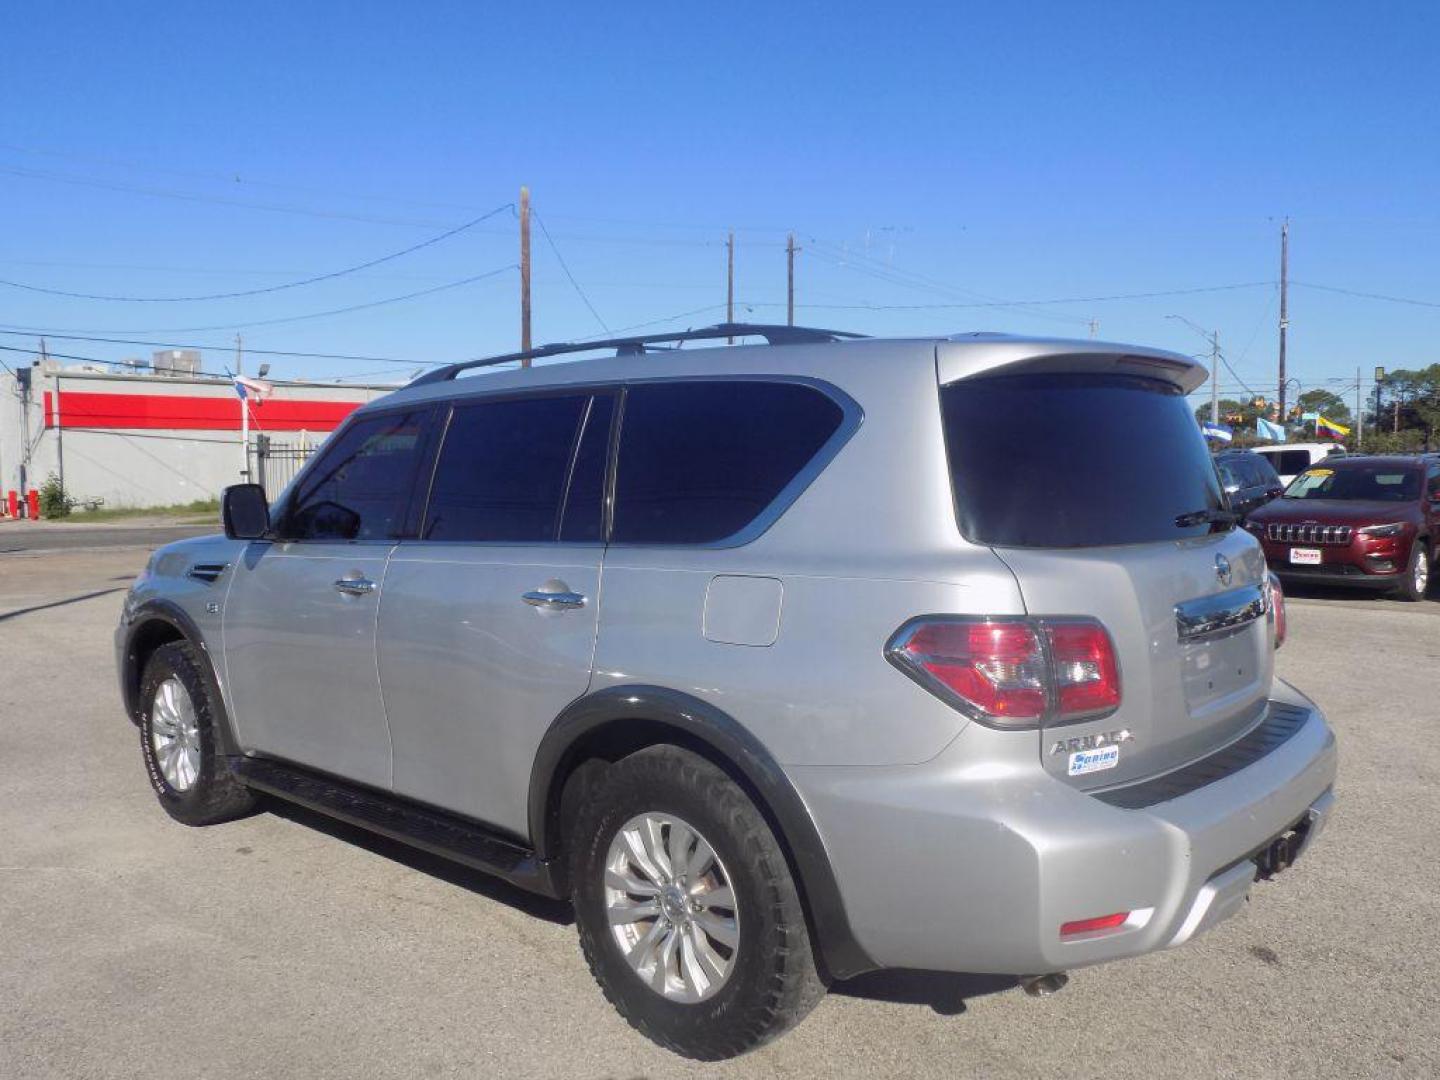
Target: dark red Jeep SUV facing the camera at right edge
x=1357, y=522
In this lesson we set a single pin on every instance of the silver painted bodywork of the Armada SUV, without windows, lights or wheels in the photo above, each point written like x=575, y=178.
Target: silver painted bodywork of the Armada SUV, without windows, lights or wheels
x=784, y=631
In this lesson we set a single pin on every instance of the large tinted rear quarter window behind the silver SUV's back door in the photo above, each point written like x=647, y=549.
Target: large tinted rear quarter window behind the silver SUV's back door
x=701, y=462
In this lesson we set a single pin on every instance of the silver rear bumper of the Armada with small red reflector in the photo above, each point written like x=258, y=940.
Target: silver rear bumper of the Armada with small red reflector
x=953, y=866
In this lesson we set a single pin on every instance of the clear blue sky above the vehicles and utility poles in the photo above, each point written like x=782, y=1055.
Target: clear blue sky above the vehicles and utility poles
x=925, y=156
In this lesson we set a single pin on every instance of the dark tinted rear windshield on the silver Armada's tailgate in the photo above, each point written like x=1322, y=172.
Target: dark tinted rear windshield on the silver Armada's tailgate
x=1075, y=460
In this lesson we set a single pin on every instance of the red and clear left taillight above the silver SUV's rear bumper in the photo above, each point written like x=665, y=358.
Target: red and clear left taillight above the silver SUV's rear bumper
x=1012, y=672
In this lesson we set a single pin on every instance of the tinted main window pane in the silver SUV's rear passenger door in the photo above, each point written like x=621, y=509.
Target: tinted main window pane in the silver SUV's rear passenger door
x=502, y=470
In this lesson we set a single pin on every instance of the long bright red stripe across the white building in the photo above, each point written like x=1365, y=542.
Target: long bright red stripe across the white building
x=145, y=411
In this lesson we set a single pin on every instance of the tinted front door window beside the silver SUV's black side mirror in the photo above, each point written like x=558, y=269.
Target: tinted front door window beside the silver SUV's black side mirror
x=361, y=486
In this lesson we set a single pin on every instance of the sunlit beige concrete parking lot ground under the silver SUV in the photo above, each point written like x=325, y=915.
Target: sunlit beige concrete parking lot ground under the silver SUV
x=287, y=947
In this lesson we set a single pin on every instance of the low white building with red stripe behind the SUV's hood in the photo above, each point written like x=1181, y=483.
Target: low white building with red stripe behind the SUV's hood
x=155, y=440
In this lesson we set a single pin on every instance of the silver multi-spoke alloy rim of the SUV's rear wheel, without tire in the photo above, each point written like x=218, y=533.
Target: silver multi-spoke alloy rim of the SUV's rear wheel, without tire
x=672, y=908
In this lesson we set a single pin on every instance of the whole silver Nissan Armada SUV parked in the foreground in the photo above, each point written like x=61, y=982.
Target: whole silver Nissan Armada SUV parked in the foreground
x=783, y=662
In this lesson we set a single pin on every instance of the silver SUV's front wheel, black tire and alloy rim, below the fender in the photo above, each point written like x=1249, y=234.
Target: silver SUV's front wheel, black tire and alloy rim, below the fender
x=179, y=741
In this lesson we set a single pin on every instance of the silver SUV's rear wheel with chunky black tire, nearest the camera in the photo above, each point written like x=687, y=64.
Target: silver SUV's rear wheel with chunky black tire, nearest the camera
x=686, y=908
